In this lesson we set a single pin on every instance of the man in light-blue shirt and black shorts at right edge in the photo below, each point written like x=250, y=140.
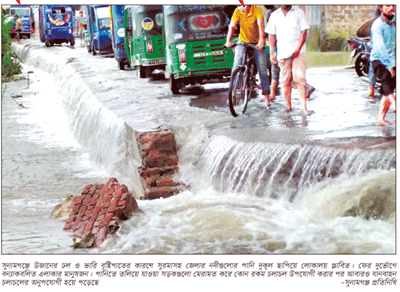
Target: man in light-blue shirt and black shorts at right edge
x=383, y=58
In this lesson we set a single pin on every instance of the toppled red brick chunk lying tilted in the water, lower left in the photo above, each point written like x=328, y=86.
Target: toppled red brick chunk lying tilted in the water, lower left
x=98, y=212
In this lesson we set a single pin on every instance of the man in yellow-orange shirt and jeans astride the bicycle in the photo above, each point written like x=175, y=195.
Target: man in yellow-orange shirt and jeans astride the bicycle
x=251, y=21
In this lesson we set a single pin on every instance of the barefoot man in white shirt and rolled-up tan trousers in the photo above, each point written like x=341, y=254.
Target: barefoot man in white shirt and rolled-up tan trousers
x=287, y=30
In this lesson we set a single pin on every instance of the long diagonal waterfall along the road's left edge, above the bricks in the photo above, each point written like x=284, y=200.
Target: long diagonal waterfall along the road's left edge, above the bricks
x=111, y=141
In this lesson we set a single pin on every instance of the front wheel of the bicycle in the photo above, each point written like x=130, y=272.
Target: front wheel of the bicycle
x=238, y=92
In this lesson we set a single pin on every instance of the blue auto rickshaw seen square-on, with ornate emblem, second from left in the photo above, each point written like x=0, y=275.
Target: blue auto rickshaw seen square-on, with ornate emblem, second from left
x=56, y=24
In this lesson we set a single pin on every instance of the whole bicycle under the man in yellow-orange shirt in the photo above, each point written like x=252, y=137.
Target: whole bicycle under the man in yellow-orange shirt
x=243, y=82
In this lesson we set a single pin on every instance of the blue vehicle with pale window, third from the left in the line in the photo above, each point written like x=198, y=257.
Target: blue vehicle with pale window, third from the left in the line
x=98, y=29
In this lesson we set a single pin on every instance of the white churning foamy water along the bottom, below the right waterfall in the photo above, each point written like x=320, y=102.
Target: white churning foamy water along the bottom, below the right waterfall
x=209, y=221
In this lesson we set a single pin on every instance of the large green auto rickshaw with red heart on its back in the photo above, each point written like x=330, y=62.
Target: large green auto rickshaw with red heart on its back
x=195, y=36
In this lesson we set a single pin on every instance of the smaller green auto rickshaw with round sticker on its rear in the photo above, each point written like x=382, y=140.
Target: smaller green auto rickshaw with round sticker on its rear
x=144, y=40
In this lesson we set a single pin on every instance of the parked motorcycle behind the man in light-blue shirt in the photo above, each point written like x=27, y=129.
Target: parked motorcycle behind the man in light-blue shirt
x=361, y=50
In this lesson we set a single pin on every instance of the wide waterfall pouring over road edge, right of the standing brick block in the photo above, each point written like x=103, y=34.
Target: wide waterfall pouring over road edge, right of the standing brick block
x=281, y=170
